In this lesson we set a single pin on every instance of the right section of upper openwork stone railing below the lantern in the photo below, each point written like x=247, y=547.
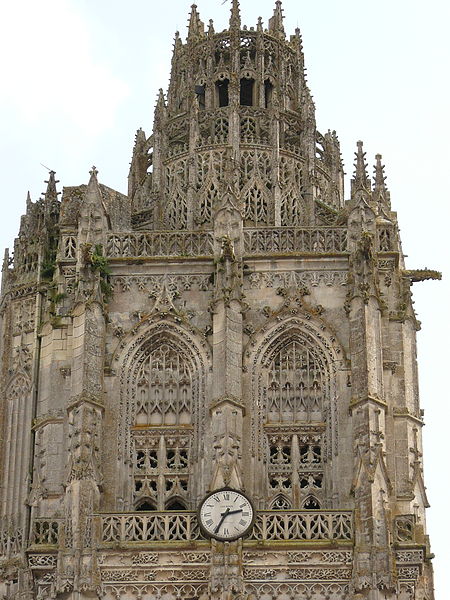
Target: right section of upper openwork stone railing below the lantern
x=322, y=240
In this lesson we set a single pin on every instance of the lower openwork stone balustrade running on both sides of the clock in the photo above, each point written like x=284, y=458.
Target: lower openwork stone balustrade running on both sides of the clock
x=183, y=527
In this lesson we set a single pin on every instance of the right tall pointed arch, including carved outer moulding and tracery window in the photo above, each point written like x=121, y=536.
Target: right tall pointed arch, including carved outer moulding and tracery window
x=291, y=365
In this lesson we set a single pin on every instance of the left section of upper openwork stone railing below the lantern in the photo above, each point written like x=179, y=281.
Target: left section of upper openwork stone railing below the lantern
x=160, y=243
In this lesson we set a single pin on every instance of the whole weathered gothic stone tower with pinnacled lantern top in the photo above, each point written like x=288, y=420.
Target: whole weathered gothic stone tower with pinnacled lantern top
x=232, y=324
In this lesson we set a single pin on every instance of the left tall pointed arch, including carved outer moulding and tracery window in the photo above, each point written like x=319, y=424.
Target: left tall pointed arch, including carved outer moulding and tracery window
x=162, y=410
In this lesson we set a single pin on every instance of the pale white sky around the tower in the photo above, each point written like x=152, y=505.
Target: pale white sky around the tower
x=78, y=77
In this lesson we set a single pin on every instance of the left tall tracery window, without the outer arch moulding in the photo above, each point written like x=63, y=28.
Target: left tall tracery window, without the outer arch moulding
x=162, y=418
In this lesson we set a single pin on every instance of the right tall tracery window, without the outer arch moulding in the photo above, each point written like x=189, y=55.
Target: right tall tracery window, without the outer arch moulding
x=296, y=393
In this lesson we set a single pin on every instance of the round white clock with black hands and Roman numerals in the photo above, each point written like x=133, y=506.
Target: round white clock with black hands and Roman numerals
x=226, y=515
